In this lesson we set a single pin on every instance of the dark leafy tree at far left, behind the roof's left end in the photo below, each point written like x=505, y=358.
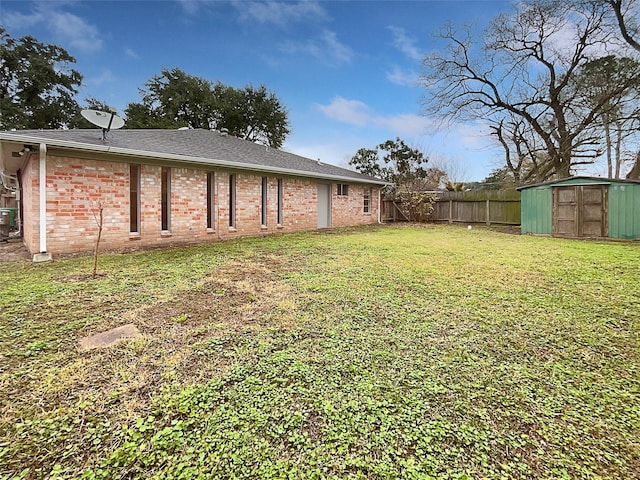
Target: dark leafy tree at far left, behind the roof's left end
x=37, y=84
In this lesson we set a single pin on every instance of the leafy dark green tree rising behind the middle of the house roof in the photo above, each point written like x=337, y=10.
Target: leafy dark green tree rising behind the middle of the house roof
x=176, y=99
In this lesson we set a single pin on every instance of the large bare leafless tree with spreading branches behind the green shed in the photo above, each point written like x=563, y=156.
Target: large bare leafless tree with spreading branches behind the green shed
x=522, y=72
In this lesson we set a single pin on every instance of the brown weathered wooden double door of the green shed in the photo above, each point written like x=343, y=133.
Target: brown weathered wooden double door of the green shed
x=580, y=211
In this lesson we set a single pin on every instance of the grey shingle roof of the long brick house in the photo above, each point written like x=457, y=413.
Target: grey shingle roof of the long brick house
x=192, y=147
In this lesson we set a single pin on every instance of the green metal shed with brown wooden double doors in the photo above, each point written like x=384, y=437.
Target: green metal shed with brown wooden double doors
x=582, y=207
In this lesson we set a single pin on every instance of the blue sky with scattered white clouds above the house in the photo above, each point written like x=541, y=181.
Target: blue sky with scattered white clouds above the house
x=347, y=72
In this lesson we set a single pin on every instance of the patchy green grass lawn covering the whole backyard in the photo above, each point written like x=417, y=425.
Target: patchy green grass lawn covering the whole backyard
x=378, y=352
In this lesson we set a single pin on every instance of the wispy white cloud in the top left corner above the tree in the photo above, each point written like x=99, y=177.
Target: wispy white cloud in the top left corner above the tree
x=73, y=31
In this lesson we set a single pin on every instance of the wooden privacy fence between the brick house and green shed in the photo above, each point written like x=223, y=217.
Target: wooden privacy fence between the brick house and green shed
x=488, y=207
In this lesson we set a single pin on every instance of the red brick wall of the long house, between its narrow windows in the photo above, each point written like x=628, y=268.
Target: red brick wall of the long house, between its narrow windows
x=76, y=186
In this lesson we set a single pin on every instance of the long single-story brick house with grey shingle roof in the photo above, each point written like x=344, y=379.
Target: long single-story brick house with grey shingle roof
x=169, y=187
